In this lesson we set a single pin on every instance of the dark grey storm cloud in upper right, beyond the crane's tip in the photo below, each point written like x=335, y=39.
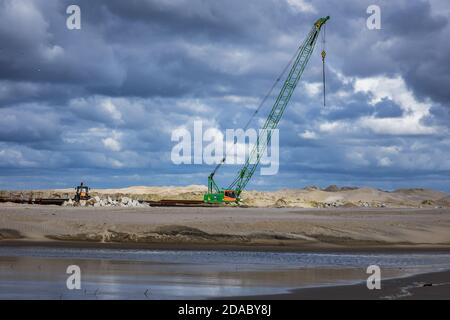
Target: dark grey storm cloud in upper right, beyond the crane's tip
x=412, y=41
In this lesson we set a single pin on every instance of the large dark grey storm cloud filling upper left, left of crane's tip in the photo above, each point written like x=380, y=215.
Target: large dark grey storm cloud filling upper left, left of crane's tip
x=101, y=58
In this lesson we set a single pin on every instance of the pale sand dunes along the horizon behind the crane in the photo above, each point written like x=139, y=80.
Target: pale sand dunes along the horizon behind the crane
x=309, y=197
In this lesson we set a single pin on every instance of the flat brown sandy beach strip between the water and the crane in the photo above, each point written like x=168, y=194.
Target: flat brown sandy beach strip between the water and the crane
x=283, y=228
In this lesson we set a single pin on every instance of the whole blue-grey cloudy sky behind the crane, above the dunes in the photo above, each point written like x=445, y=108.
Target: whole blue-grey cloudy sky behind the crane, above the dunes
x=99, y=104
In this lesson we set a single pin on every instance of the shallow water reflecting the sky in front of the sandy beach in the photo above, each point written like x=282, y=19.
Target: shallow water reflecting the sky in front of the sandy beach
x=40, y=273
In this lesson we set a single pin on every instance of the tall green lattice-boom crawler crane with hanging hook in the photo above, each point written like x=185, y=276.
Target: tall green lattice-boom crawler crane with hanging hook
x=299, y=62
